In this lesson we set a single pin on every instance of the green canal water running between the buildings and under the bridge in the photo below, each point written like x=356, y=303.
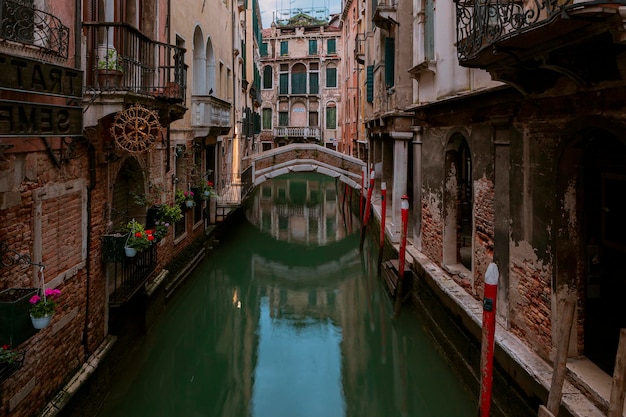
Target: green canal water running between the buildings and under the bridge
x=286, y=318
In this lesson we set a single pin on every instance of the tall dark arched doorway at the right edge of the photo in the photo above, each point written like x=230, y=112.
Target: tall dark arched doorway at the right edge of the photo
x=604, y=180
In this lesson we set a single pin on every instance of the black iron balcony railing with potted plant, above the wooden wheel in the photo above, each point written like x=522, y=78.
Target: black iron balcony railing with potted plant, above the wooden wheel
x=121, y=58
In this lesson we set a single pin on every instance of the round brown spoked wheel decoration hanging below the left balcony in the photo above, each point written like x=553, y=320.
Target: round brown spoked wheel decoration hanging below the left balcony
x=136, y=129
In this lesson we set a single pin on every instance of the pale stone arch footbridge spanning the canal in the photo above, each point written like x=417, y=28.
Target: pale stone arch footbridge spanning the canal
x=301, y=157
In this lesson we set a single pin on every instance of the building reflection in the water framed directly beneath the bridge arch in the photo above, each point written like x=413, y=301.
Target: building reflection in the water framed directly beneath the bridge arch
x=301, y=209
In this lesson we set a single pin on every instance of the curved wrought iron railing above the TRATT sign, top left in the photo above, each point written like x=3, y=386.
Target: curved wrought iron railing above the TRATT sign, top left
x=20, y=22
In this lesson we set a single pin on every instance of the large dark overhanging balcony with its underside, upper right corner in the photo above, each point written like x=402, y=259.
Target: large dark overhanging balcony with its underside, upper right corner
x=531, y=44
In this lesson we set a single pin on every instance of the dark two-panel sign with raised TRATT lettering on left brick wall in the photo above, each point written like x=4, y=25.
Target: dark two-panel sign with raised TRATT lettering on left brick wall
x=33, y=97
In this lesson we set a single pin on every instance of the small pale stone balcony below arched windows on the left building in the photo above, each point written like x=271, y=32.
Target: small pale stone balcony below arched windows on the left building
x=210, y=115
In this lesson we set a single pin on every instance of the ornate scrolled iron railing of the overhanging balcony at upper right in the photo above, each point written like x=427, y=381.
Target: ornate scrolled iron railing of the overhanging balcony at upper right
x=480, y=23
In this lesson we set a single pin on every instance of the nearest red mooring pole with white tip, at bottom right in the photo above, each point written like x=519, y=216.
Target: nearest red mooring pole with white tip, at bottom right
x=487, y=345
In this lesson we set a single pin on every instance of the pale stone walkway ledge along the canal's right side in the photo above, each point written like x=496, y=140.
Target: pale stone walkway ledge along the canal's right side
x=531, y=372
